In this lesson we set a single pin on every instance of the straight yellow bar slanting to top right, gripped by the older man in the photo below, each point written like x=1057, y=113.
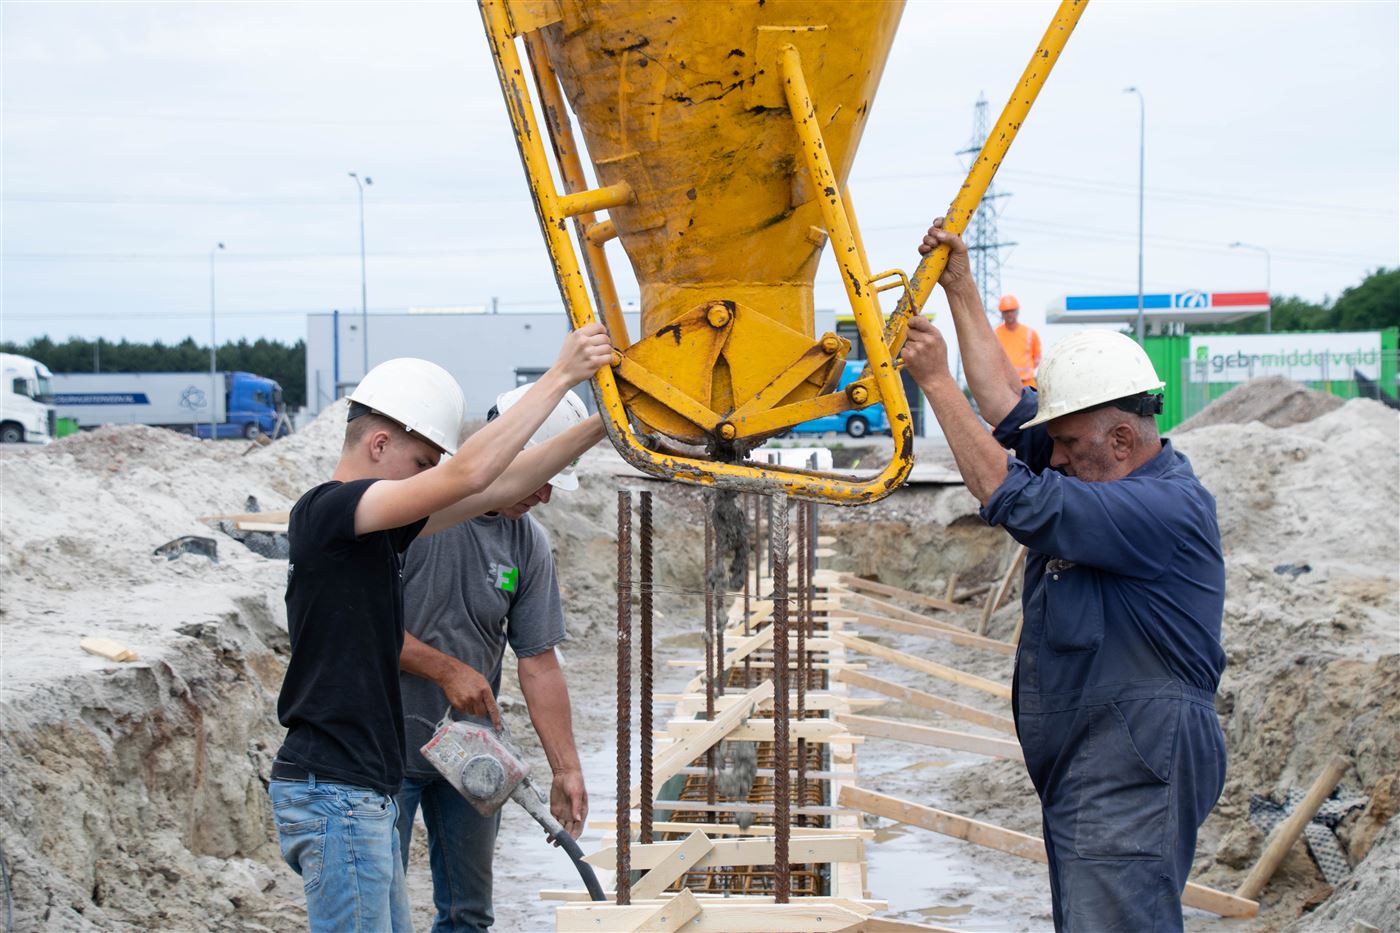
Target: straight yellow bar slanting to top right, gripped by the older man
x=983, y=170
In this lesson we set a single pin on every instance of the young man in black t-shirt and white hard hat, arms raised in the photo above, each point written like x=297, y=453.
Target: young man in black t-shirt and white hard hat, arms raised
x=337, y=774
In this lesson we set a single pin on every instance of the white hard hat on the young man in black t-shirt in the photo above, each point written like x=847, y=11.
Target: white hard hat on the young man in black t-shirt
x=419, y=396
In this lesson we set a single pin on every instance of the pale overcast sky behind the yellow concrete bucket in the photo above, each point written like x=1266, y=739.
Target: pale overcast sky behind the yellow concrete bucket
x=139, y=135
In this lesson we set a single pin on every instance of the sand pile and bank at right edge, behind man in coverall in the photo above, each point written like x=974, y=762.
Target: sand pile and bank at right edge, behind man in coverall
x=1312, y=627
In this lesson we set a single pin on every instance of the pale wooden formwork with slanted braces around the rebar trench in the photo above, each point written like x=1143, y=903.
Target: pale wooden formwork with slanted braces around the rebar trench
x=705, y=872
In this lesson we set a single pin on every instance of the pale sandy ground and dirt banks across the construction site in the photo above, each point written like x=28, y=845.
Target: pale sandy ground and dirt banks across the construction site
x=136, y=792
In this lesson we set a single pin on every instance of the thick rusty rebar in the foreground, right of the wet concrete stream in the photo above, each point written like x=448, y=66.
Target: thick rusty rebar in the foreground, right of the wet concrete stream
x=782, y=760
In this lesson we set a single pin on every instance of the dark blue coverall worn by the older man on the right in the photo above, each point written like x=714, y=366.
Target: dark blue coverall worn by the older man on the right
x=1116, y=676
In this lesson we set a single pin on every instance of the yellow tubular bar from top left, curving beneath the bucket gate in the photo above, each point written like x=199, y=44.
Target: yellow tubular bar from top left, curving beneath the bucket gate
x=552, y=218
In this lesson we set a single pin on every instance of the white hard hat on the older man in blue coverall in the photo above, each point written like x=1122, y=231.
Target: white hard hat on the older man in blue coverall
x=1090, y=369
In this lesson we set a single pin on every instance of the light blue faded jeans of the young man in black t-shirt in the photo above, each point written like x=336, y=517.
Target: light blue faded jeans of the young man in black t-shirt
x=341, y=840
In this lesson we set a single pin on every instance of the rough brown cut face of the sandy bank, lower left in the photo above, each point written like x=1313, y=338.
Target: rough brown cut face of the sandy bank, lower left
x=138, y=796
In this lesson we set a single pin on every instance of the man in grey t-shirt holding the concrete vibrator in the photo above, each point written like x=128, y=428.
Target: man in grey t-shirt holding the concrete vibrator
x=470, y=592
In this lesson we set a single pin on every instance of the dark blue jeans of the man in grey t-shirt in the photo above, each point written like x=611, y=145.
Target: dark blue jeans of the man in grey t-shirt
x=461, y=847
